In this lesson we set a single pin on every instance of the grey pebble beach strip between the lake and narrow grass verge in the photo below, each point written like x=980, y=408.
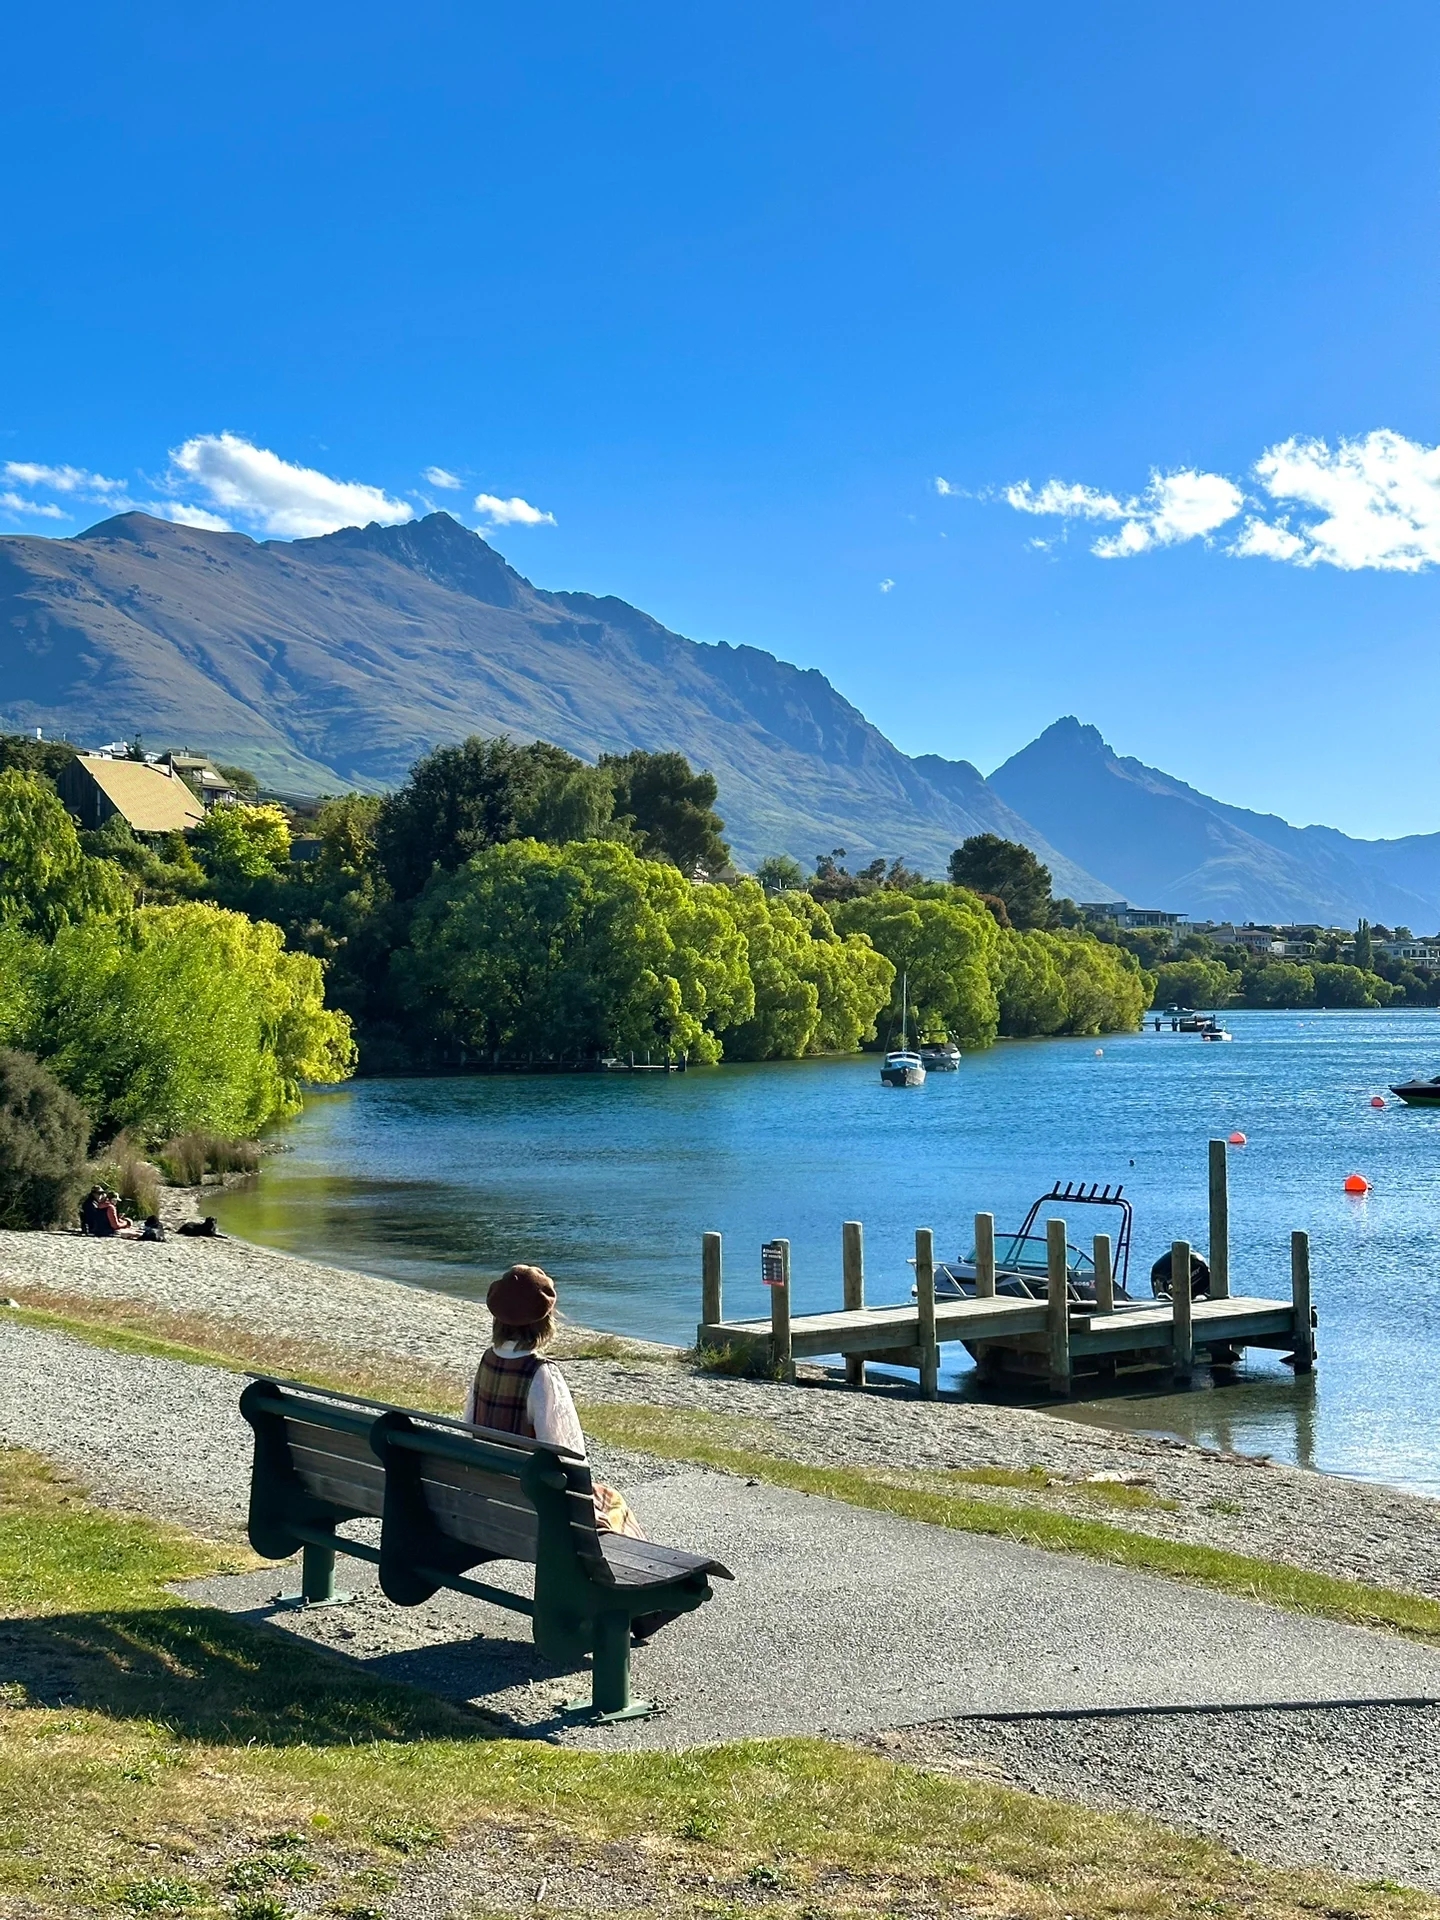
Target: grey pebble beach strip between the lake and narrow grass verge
x=1326, y=1524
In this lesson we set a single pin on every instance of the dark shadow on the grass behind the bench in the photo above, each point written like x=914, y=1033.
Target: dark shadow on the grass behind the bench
x=220, y=1681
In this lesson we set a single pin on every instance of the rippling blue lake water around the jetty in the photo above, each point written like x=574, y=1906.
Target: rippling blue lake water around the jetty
x=610, y=1180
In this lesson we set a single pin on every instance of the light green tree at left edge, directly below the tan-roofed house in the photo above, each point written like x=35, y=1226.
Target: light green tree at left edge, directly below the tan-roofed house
x=45, y=876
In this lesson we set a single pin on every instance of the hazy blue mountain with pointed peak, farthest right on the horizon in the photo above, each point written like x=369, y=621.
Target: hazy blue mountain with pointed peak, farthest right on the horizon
x=1168, y=846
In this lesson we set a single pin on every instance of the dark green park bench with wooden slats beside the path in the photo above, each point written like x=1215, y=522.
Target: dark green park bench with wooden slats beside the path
x=452, y=1497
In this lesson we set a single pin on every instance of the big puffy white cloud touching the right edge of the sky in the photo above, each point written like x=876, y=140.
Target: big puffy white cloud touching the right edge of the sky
x=1380, y=498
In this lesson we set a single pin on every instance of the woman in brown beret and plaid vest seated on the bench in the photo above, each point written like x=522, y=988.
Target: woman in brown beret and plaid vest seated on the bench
x=519, y=1393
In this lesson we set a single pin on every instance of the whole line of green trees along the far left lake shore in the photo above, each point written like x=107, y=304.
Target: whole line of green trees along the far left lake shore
x=510, y=903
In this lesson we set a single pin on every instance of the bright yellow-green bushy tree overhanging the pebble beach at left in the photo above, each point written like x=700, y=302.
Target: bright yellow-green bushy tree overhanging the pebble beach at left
x=181, y=1019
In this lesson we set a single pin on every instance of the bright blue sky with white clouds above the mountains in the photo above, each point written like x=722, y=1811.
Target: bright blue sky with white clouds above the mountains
x=702, y=304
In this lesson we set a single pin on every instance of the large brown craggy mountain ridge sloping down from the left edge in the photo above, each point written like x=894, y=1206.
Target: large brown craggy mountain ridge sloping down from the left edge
x=333, y=663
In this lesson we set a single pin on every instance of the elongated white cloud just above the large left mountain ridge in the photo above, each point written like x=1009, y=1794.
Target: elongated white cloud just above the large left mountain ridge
x=276, y=496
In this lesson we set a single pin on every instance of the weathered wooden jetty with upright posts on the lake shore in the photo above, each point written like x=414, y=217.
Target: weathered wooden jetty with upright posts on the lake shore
x=1055, y=1339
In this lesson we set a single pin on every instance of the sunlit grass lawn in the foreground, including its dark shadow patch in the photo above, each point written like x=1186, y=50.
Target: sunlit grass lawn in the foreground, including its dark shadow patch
x=166, y=1760
